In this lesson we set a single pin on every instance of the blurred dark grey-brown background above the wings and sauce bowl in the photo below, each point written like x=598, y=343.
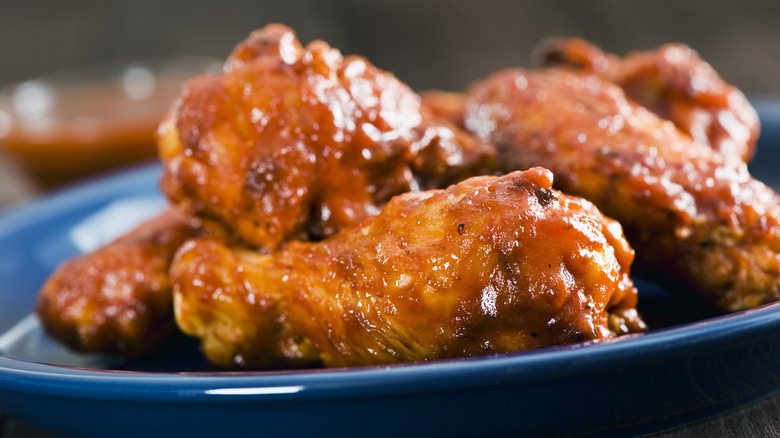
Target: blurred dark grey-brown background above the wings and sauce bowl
x=428, y=44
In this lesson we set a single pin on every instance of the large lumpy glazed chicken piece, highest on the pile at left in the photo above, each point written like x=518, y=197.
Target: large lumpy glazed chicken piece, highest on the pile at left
x=297, y=143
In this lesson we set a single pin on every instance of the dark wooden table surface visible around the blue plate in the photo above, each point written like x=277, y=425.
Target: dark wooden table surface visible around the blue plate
x=760, y=418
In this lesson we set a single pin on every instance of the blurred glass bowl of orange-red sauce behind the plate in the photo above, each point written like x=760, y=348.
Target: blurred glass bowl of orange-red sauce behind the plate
x=71, y=124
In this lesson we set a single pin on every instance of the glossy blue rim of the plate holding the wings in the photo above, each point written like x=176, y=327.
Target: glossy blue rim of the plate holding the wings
x=449, y=374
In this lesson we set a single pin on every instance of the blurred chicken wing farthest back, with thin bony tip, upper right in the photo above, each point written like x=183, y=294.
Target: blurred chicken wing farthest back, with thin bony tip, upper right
x=675, y=83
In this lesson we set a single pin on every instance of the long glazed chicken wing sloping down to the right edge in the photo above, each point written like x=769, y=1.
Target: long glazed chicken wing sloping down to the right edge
x=692, y=214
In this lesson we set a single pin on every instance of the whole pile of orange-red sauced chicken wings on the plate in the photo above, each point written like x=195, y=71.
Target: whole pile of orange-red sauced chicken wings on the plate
x=324, y=213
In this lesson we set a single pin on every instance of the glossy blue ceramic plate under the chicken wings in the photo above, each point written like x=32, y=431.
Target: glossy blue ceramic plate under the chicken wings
x=691, y=365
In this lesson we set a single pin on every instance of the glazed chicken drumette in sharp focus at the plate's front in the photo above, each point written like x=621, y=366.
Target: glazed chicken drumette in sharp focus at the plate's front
x=492, y=264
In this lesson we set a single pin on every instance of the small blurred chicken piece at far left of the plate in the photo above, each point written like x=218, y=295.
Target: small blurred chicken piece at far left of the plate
x=118, y=298
